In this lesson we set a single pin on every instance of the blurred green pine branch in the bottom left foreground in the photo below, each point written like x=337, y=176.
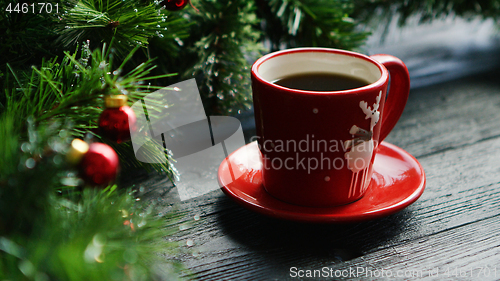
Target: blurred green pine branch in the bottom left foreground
x=101, y=235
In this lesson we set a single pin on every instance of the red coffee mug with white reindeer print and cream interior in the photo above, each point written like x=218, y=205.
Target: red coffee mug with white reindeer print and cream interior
x=318, y=147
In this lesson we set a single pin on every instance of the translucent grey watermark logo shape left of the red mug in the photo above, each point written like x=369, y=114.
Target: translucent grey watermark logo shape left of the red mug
x=173, y=119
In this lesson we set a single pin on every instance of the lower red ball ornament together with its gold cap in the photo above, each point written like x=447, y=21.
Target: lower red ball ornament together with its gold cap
x=97, y=163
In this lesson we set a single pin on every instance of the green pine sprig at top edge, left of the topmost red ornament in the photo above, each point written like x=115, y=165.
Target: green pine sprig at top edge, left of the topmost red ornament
x=129, y=23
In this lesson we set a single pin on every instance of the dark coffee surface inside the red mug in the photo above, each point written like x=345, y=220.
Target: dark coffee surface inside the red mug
x=321, y=82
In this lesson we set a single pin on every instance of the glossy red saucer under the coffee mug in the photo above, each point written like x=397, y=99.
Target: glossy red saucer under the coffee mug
x=398, y=180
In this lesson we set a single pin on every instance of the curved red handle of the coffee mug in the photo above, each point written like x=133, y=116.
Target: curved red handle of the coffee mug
x=399, y=90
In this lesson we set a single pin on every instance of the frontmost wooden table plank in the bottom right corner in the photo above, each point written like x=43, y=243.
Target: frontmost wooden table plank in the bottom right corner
x=468, y=252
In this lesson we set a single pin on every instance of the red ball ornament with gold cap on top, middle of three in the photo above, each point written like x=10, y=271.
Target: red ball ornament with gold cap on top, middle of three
x=117, y=120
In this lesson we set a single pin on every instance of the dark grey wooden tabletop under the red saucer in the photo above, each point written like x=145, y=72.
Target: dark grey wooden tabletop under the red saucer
x=450, y=233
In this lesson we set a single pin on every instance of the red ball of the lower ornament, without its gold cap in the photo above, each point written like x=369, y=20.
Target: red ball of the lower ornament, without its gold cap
x=99, y=165
